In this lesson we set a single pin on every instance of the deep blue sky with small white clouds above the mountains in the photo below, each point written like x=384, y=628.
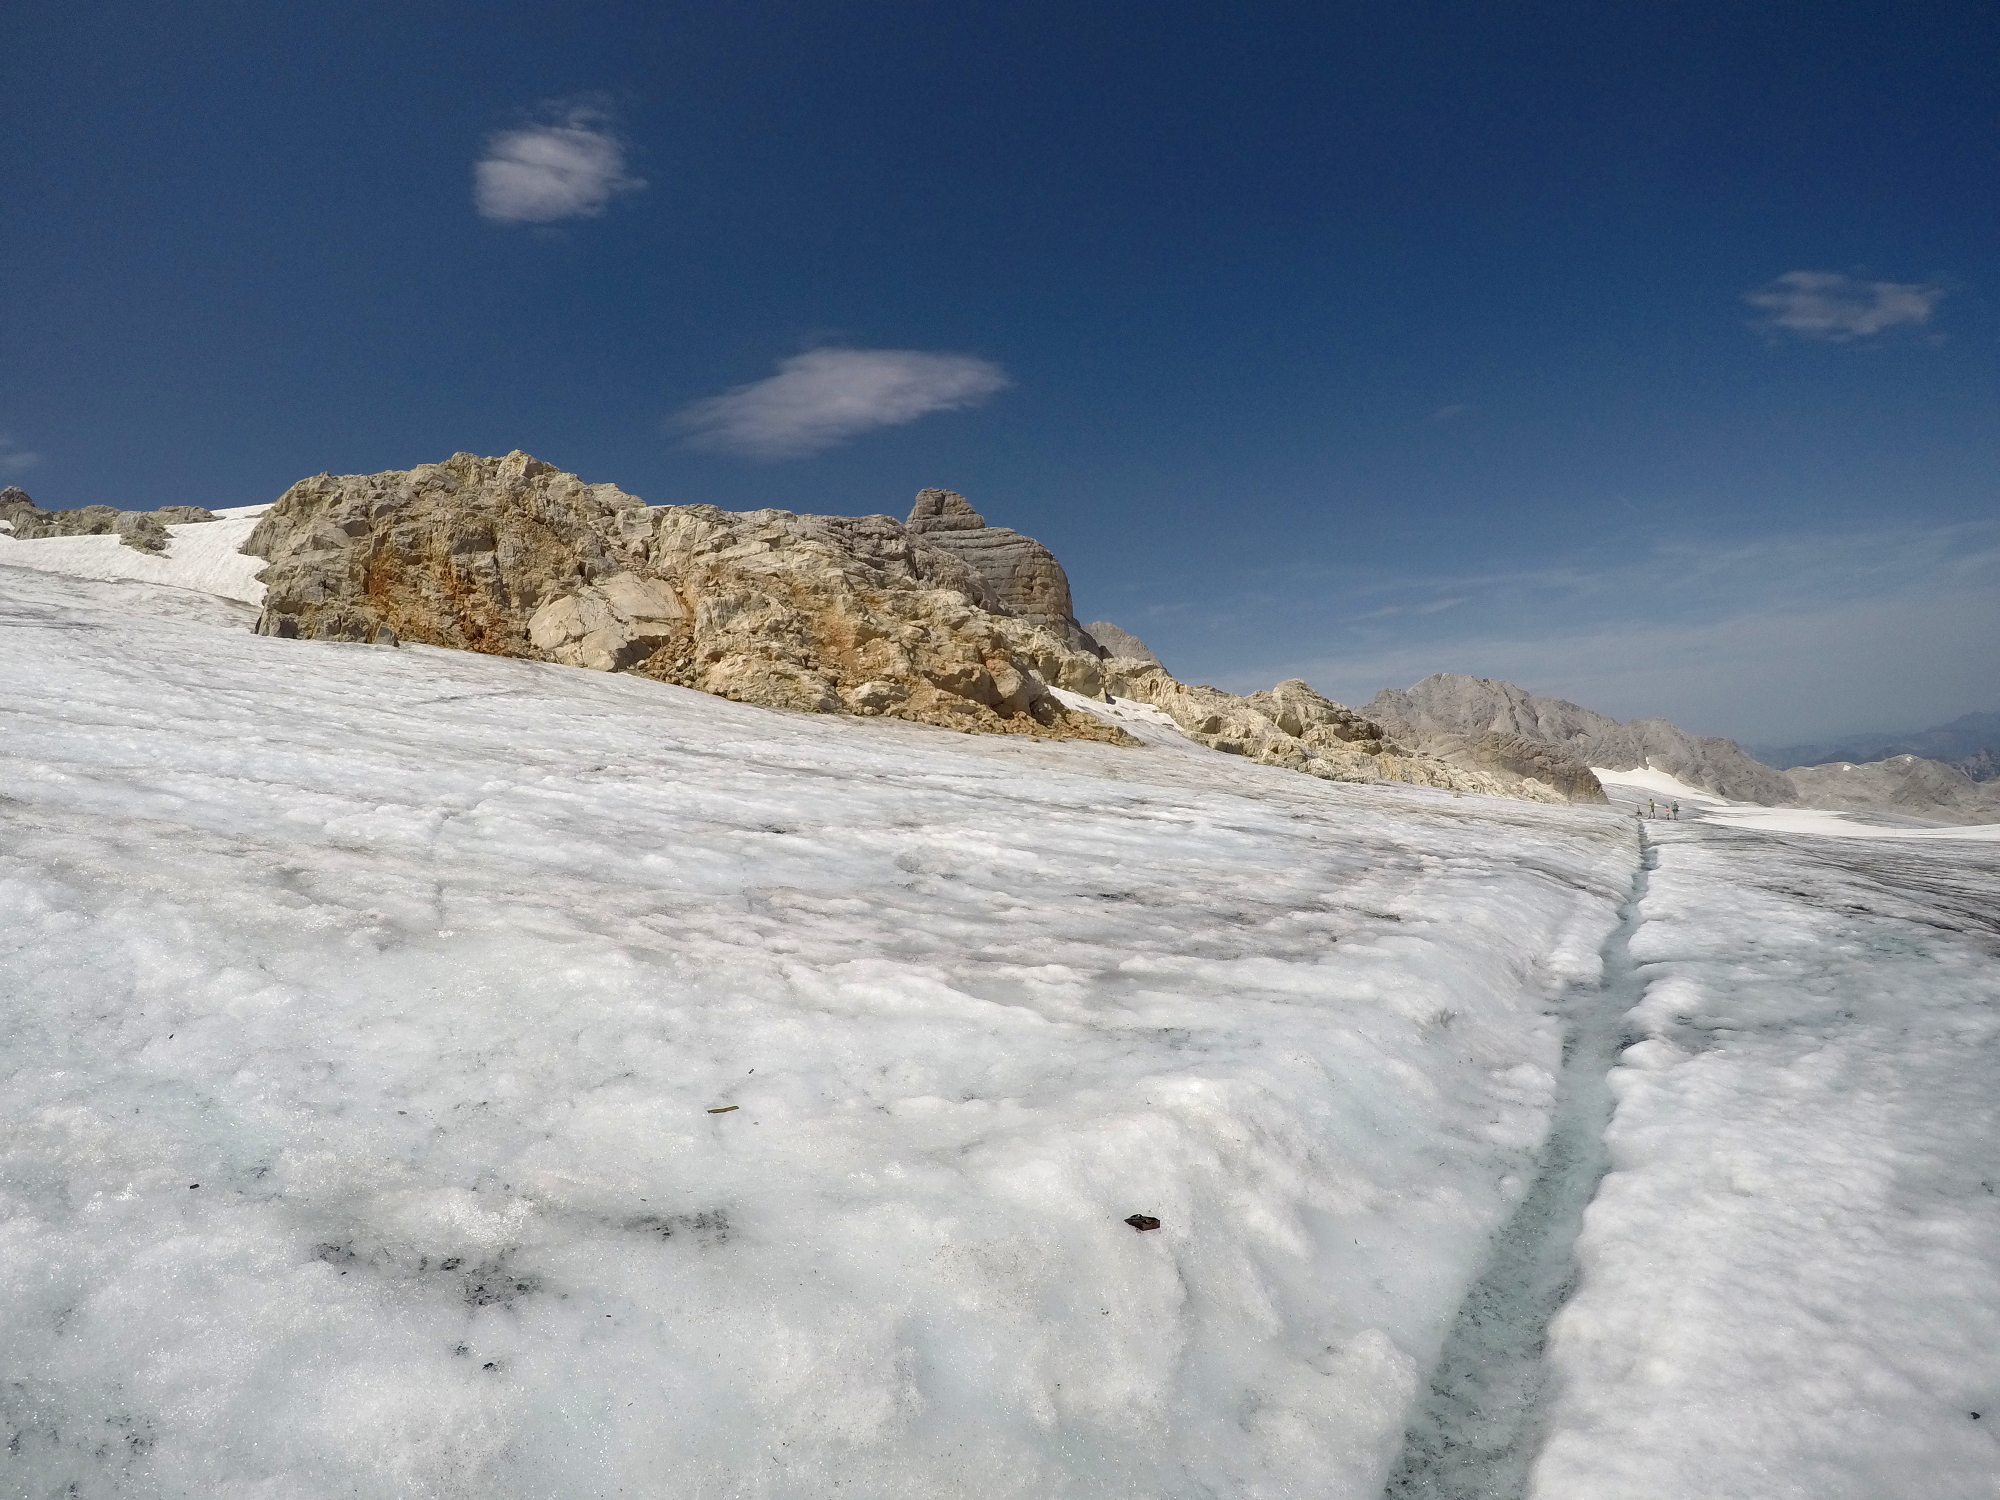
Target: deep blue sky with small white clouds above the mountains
x=1645, y=355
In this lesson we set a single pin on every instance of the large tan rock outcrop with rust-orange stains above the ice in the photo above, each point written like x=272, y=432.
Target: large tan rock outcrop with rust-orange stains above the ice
x=819, y=613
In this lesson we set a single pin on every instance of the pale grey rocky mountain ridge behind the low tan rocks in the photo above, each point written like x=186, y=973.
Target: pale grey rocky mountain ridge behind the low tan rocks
x=1453, y=705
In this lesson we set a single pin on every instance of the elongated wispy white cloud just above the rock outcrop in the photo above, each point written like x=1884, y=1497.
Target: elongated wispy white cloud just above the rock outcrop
x=829, y=395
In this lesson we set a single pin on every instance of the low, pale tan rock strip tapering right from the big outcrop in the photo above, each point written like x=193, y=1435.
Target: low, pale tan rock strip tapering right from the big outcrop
x=1295, y=727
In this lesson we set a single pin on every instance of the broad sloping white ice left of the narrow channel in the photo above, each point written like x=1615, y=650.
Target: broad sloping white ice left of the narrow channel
x=363, y=1013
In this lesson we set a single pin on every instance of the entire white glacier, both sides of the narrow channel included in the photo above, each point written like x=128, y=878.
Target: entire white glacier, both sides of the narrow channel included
x=433, y=1075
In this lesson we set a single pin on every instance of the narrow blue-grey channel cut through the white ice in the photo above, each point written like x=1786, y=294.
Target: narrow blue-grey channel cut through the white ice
x=1479, y=1425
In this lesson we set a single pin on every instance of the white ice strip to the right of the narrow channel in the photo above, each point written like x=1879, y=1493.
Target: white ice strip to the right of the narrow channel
x=1791, y=1279
